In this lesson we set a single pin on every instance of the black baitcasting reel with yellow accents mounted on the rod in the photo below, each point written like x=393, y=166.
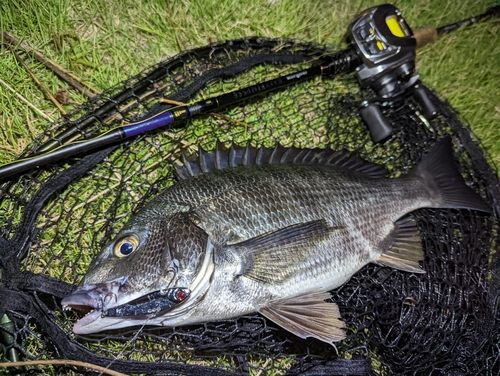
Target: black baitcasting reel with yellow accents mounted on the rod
x=386, y=48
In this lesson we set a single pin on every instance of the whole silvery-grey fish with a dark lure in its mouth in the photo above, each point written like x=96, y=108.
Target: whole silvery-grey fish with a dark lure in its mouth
x=267, y=230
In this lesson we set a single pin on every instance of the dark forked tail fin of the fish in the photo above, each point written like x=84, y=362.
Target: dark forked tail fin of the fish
x=439, y=172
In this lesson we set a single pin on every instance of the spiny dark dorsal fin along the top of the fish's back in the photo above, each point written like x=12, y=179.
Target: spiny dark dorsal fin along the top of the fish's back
x=248, y=155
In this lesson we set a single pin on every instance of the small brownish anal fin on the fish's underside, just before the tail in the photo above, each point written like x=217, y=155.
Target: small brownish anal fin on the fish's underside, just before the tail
x=406, y=251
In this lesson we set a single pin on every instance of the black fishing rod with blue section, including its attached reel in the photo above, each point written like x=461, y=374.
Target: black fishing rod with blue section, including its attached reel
x=382, y=54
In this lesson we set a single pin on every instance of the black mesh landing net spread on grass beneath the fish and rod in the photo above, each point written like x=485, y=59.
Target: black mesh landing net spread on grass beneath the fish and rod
x=55, y=219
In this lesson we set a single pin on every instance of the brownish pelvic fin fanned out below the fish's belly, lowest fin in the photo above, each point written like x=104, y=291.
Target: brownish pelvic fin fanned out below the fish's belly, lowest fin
x=308, y=316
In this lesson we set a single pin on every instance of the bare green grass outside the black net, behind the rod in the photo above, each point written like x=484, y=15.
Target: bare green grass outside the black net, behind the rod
x=106, y=41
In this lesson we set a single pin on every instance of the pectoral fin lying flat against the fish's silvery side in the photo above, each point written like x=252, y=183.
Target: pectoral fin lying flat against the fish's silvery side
x=275, y=257
